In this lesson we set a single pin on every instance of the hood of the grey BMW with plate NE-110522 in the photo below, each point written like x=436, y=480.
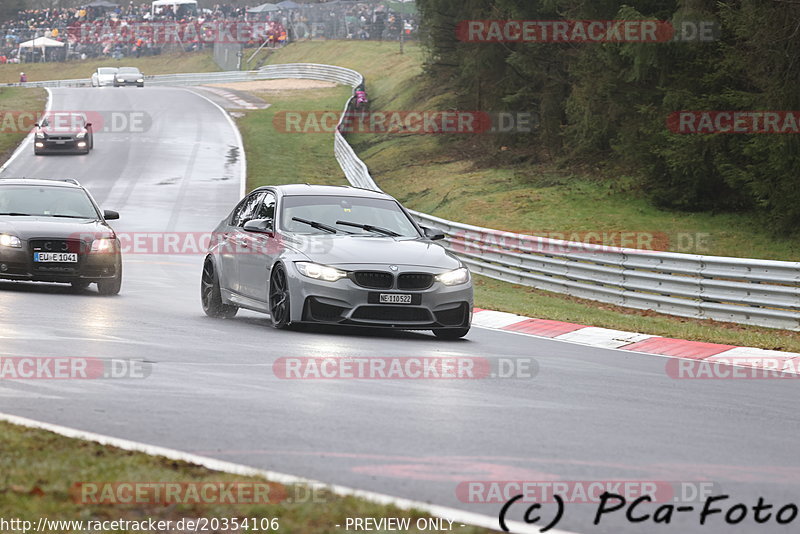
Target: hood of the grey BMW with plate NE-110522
x=343, y=251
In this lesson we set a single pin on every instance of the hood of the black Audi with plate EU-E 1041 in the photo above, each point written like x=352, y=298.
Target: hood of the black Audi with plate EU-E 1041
x=53, y=228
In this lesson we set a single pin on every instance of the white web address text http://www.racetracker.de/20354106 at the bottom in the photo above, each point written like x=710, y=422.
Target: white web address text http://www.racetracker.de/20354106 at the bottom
x=45, y=525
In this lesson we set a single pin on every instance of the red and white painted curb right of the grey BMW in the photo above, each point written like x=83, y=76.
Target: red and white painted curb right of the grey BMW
x=784, y=362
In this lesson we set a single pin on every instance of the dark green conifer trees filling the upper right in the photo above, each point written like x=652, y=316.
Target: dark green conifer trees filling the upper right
x=617, y=100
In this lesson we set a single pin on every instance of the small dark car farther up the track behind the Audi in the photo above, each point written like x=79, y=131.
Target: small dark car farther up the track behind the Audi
x=58, y=133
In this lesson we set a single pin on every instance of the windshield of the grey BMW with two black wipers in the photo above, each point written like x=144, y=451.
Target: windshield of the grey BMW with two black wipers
x=317, y=214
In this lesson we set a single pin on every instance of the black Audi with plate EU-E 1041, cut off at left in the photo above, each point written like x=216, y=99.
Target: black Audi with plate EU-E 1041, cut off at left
x=53, y=231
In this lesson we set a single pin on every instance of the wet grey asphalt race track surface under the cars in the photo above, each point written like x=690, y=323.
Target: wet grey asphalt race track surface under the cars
x=589, y=415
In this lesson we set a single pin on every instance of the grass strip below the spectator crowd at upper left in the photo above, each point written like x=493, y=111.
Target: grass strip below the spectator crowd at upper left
x=161, y=64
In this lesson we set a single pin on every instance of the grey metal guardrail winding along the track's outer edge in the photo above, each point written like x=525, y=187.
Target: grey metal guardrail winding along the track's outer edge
x=739, y=290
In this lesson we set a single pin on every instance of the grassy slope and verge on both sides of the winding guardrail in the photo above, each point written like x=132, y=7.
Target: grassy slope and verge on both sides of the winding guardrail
x=444, y=179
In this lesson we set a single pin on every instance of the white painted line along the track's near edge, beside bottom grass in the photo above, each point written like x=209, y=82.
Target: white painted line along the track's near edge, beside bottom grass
x=457, y=516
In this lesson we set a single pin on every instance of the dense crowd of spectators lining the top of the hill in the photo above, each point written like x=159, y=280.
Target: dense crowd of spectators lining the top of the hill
x=107, y=29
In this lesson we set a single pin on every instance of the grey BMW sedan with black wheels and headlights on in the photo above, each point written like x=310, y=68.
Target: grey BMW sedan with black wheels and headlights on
x=334, y=255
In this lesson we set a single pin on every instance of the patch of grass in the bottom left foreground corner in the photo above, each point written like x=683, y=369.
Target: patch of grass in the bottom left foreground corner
x=39, y=471
